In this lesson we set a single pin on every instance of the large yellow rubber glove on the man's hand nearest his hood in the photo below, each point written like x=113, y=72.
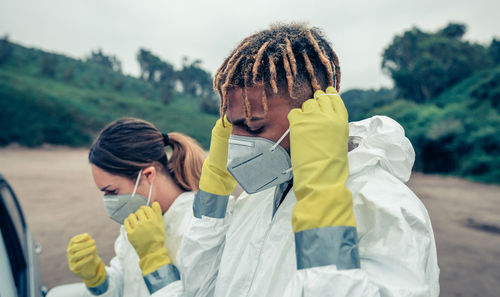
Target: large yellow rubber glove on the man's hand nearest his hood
x=319, y=135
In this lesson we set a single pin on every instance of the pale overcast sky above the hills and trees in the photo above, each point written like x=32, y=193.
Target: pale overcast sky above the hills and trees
x=208, y=30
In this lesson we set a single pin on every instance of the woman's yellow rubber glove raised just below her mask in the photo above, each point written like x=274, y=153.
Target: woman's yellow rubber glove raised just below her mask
x=146, y=233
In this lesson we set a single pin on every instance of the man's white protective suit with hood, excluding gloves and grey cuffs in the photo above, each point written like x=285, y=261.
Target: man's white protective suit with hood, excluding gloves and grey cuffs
x=251, y=252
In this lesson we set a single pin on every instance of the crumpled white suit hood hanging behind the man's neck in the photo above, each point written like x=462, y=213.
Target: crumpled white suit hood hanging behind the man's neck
x=381, y=140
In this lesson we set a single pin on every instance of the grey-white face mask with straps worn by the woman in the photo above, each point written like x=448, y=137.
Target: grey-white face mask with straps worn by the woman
x=119, y=207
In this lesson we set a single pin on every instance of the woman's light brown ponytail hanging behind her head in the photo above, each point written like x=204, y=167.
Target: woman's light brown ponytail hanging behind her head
x=186, y=160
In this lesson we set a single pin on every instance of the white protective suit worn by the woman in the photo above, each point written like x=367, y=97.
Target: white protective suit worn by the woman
x=124, y=274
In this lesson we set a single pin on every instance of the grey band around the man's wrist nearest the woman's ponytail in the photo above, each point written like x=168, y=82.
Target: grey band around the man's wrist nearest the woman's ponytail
x=210, y=205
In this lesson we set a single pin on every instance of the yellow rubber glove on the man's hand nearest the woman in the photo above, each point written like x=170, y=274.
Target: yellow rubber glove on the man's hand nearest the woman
x=215, y=179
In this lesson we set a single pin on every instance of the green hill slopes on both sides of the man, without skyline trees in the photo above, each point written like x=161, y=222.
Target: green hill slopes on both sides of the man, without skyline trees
x=51, y=98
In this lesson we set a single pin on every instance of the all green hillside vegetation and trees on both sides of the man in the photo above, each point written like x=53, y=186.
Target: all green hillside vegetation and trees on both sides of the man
x=446, y=95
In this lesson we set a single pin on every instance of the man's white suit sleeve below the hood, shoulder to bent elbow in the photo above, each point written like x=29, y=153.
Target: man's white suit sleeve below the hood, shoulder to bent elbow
x=396, y=244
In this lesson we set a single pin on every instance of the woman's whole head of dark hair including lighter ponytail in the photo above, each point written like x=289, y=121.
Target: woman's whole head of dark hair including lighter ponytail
x=128, y=145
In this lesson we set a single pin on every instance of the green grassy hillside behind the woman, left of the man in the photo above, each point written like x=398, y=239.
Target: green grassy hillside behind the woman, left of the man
x=50, y=98
